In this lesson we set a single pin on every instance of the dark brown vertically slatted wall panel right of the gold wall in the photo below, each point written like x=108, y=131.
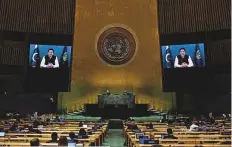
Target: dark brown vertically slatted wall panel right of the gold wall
x=186, y=16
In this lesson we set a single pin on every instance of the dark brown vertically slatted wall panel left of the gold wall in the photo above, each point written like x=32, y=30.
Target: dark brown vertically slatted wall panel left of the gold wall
x=40, y=16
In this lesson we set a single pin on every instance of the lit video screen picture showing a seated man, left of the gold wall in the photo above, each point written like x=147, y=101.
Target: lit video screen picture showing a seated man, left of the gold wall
x=49, y=56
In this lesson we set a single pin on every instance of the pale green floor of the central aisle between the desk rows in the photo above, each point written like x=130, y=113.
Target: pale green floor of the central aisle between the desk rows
x=114, y=138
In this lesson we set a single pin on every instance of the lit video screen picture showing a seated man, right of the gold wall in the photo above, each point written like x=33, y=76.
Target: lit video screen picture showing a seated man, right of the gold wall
x=183, y=56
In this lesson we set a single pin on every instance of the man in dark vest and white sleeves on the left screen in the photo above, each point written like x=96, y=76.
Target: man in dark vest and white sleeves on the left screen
x=50, y=61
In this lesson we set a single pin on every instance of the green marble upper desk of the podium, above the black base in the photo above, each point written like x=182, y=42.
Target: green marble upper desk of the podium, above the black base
x=116, y=99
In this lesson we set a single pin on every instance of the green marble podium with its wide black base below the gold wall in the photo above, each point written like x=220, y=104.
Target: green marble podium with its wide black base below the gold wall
x=117, y=106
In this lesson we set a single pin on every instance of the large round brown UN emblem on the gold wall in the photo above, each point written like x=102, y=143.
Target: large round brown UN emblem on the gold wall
x=116, y=46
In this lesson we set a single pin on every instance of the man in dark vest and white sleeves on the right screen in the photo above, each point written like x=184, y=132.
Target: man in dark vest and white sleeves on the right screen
x=183, y=60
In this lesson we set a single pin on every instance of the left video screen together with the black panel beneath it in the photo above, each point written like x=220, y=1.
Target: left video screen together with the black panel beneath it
x=49, y=68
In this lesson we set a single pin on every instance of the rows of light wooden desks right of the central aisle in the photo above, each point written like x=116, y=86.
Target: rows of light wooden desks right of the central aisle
x=185, y=138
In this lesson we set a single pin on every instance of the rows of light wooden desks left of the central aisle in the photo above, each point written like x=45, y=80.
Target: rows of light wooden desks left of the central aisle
x=62, y=129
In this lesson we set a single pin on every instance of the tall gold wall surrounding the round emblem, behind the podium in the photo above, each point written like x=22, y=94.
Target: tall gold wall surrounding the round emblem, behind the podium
x=91, y=76
